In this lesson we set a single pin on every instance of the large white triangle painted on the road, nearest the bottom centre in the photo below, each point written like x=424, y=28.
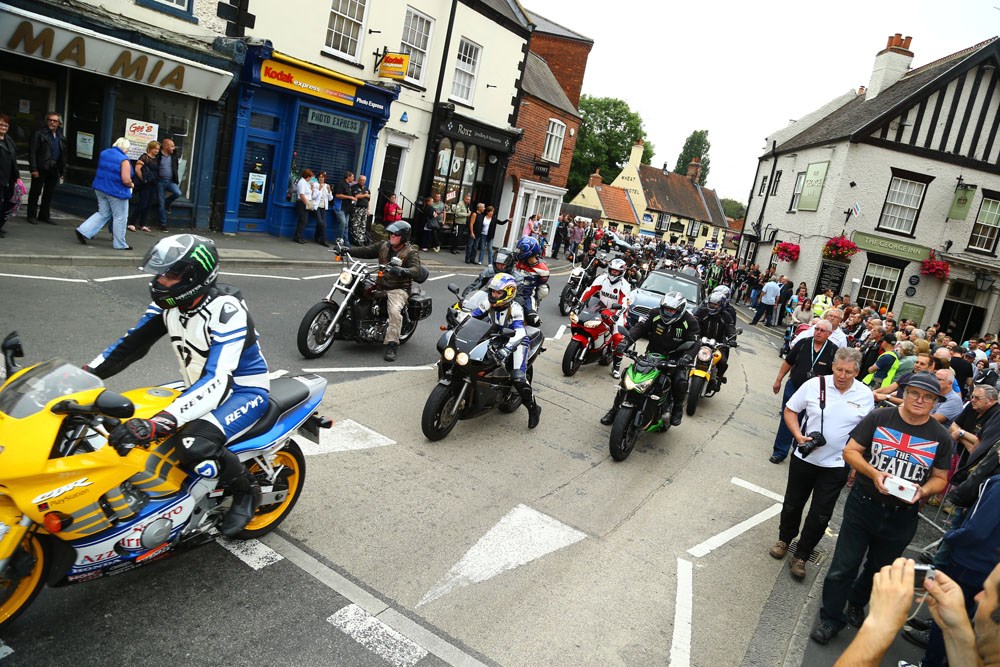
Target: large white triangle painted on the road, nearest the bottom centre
x=518, y=538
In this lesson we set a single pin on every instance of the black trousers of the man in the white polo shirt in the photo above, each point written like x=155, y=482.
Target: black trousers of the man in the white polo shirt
x=824, y=485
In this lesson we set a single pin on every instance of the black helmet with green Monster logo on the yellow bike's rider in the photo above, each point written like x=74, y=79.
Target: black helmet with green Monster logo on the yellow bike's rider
x=188, y=261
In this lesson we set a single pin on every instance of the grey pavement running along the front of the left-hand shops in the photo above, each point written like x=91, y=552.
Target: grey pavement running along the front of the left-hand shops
x=56, y=245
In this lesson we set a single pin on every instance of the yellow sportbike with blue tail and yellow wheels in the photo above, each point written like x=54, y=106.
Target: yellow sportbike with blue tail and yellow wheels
x=72, y=508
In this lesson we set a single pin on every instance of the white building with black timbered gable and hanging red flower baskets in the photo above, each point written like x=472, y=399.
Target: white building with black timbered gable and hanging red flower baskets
x=909, y=169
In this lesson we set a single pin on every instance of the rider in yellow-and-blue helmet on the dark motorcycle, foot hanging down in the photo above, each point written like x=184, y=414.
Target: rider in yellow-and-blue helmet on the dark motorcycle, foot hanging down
x=502, y=310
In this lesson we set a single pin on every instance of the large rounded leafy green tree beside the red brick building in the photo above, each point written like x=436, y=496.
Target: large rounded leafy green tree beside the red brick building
x=608, y=131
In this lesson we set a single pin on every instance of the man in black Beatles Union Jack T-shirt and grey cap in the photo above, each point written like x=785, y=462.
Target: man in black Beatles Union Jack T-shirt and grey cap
x=902, y=456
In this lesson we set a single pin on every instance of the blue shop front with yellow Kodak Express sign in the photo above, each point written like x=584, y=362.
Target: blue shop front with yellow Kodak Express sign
x=291, y=116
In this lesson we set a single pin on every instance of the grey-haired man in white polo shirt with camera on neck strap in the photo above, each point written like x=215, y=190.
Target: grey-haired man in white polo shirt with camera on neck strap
x=832, y=410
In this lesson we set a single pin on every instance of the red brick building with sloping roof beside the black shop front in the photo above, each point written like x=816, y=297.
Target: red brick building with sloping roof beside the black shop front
x=548, y=115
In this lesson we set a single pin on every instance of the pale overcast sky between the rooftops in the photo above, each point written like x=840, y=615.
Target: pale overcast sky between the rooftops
x=744, y=69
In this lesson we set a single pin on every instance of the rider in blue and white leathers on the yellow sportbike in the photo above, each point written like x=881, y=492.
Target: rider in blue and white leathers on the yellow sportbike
x=212, y=334
